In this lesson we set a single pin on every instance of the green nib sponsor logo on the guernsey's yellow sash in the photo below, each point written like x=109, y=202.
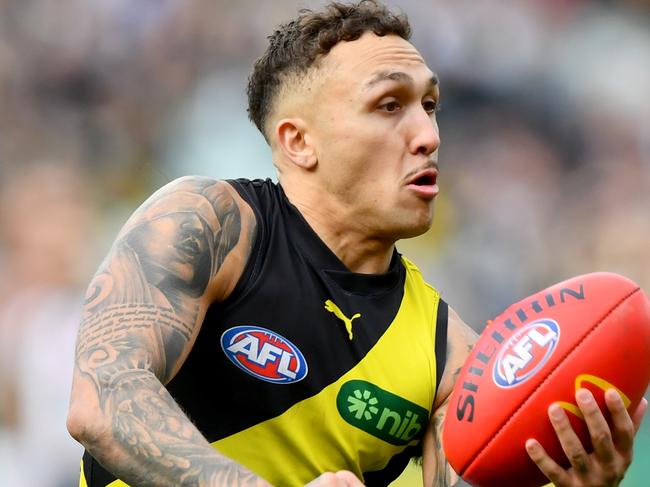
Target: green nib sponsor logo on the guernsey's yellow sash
x=380, y=413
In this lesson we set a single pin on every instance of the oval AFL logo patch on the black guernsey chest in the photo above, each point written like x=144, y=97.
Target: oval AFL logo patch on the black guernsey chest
x=264, y=354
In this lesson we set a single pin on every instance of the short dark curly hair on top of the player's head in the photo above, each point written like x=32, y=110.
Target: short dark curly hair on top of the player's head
x=295, y=46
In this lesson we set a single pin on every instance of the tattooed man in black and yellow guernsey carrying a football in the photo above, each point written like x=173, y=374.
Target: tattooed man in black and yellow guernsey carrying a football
x=241, y=332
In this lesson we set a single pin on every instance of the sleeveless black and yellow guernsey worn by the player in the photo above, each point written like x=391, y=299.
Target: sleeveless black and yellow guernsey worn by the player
x=307, y=367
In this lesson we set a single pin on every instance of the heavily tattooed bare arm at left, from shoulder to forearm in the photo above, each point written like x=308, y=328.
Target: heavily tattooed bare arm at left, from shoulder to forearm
x=183, y=249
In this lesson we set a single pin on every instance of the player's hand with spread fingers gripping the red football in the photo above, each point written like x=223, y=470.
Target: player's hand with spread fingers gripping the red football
x=612, y=454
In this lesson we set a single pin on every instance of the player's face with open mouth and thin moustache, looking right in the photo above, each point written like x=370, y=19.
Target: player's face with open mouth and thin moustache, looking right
x=376, y=134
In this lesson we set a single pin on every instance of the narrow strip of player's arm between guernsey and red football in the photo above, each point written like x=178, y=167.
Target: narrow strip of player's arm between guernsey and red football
x=436, y=470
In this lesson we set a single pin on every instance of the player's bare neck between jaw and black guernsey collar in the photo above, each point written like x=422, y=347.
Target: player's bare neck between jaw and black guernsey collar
x=359, y=251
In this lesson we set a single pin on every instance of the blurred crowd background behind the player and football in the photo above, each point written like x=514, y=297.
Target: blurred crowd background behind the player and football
x=545, y=161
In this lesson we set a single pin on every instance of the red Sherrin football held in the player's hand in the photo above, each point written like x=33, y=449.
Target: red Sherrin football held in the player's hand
x=591, y=331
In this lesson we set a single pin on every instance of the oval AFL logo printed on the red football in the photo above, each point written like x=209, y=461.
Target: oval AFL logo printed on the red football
x=525, y=352
